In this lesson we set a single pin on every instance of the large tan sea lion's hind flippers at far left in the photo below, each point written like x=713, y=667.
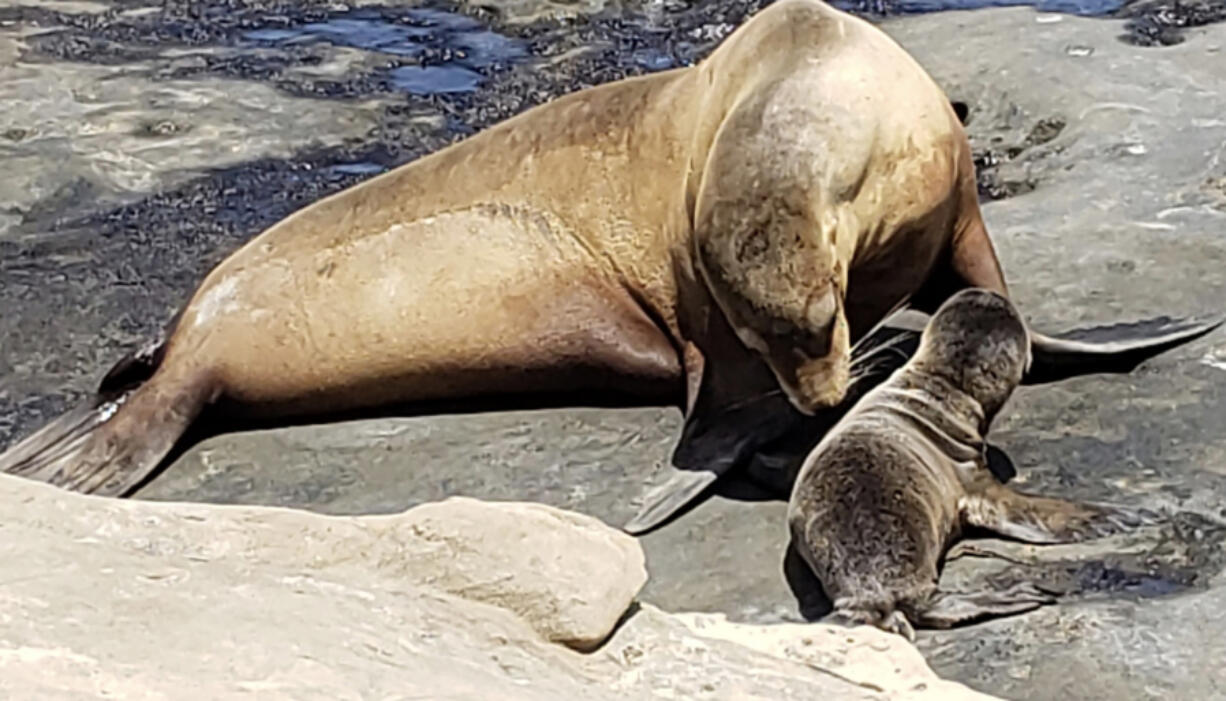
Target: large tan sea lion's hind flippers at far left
x=117, y=439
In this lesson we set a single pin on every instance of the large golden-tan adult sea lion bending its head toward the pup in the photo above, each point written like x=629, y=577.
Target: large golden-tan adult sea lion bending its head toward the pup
x=698, y=237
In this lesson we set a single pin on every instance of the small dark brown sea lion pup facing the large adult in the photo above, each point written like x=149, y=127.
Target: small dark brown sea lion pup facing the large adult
x=892, y=486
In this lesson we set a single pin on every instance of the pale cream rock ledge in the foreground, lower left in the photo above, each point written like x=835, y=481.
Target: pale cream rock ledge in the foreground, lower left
x=460, y=599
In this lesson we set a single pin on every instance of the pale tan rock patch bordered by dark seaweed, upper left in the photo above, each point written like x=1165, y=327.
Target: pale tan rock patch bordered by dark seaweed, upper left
x=78, y=135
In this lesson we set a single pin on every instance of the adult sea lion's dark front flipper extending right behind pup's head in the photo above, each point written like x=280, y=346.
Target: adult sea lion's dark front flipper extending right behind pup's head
x=1116, y=349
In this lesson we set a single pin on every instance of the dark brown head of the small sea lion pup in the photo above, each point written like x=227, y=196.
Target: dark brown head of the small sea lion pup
x=979, y=343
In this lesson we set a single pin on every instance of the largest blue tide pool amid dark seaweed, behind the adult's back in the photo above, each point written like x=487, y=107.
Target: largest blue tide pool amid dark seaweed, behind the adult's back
x=451, y=50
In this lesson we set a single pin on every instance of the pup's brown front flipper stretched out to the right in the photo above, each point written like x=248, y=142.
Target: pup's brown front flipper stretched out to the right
x=1046, y=520
